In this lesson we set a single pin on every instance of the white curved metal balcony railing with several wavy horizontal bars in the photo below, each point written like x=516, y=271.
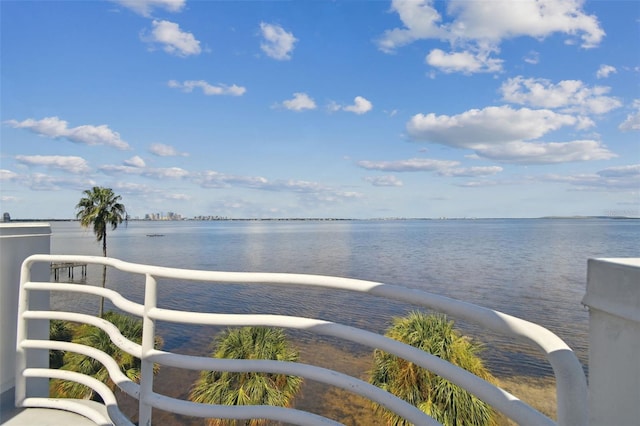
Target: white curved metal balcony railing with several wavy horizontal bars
x=570, y=379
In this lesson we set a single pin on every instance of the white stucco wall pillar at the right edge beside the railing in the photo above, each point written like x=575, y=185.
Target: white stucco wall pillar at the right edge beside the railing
x=613, y=298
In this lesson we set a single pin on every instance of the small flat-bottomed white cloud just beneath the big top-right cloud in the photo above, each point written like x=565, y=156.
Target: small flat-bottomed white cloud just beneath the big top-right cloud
x=464, y=62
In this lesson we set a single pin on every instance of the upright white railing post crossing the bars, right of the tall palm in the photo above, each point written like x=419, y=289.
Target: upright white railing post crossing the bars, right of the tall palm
x=148, y=343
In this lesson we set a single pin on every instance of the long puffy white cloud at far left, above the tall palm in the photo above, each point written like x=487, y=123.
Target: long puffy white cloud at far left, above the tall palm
x=54, y=127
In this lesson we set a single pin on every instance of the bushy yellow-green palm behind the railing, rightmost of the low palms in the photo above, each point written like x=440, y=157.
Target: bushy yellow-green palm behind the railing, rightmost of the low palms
x=436, y=396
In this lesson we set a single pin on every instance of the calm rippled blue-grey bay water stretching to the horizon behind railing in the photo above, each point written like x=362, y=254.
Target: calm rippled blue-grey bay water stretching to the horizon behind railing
x=531, y=268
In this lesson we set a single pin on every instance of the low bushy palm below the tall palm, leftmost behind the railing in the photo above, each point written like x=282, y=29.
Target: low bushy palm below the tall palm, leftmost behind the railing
x=88, y=335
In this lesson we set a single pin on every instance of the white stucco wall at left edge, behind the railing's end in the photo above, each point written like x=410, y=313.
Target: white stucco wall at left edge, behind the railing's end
x=17, y=242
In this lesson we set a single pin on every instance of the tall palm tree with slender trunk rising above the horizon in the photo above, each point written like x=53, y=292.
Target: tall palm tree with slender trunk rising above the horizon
x=99, y=208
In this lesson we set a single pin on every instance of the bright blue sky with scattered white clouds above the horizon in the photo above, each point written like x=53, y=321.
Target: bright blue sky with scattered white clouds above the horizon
x=347, y=109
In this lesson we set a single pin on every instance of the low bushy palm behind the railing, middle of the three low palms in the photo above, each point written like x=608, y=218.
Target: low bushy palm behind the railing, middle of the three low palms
x=228, y=388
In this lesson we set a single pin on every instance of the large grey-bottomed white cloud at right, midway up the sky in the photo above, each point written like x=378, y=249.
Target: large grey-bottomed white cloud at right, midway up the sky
x=503, y=134
